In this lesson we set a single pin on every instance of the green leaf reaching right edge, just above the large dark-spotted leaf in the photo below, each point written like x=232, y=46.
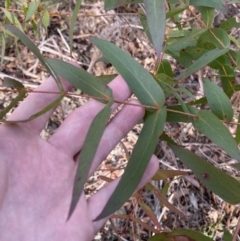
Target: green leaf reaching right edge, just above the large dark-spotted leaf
x=214, y=129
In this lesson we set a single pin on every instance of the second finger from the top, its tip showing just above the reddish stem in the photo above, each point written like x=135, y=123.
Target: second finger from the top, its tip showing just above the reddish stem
x=71, y=134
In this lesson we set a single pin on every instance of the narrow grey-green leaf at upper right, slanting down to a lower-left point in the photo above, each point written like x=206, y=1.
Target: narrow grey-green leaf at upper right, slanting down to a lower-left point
x=202, y=61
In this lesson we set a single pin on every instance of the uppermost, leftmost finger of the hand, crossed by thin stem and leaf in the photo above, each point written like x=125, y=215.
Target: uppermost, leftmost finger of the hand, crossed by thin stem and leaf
x=36, y=102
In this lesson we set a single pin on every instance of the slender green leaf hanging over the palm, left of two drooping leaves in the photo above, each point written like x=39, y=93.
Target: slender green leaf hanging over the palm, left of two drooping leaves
x=88, y=152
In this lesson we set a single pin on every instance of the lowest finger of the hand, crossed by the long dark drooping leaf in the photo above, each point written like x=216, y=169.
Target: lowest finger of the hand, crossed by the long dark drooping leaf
x=97, y=202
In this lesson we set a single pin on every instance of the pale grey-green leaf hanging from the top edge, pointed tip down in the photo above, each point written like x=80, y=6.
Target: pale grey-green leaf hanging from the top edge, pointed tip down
x=156, y=19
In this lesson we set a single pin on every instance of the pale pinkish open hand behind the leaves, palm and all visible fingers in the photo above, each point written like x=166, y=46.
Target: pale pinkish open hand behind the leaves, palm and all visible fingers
x=37, y=175
